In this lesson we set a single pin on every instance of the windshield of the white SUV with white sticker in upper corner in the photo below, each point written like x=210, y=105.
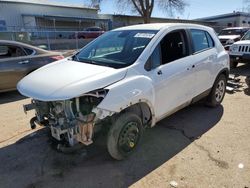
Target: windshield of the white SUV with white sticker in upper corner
x=116, y=49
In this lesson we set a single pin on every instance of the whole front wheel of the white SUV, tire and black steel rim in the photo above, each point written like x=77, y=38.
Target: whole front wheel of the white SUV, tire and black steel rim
x=124, y=135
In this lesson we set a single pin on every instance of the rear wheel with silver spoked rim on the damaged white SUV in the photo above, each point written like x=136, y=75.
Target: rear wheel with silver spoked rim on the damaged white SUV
x=218, y=91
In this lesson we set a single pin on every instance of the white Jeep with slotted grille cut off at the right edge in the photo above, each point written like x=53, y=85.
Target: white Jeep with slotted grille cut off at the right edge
x=240, y=51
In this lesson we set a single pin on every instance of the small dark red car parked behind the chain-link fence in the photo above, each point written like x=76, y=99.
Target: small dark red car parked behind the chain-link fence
x=91, y=32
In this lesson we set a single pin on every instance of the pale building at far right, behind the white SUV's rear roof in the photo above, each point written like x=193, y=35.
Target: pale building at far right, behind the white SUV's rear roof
x=235, y=19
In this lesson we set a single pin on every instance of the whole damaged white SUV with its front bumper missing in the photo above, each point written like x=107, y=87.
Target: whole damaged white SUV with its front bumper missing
x=126, y=80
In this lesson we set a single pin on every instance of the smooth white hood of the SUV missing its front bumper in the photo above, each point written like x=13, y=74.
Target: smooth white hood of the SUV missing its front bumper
x=67, y=79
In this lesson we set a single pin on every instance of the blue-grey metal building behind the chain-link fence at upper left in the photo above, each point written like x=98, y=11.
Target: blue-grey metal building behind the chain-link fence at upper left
x=26, y=15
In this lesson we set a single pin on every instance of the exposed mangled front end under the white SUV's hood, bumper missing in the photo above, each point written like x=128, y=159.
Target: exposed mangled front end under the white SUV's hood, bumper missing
x=71, y=121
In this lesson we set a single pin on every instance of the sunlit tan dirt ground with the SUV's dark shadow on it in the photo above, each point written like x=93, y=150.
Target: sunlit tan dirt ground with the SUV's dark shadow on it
x=196, y=147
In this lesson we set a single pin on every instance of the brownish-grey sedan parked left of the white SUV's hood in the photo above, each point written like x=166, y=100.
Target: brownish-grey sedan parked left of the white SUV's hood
x=19, y=59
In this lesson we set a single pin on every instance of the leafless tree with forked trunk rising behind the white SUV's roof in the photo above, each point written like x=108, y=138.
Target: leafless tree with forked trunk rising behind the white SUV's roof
x=145, y=7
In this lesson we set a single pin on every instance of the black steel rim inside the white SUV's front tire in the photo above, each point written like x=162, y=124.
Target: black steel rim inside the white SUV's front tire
x=128, y=138
